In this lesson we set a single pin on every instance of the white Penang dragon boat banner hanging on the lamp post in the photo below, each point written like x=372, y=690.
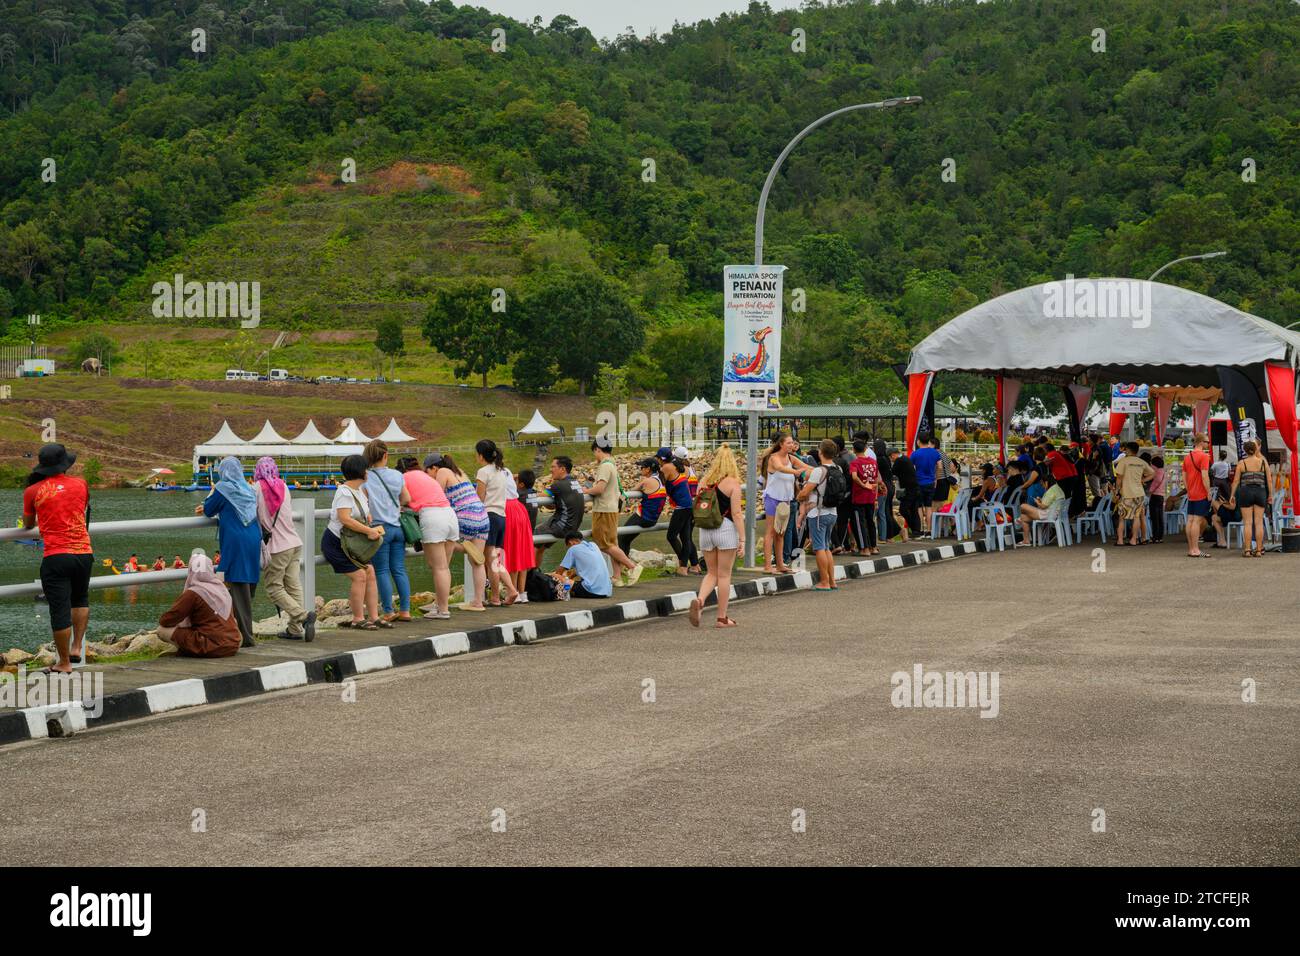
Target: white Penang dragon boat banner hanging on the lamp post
x=752, y=339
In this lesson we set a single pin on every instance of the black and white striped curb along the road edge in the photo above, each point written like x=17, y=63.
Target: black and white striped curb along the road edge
x=59, y=720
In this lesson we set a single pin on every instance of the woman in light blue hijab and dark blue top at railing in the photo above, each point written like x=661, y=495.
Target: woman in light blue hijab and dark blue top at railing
x=235, y=505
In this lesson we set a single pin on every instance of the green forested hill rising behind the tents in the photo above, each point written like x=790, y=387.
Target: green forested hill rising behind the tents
x=1067, y=161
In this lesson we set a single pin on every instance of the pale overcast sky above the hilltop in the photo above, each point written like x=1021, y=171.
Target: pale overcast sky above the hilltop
x=608, y=19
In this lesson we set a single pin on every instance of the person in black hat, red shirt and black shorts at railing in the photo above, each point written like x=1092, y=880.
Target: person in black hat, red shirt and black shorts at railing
x=58, y=505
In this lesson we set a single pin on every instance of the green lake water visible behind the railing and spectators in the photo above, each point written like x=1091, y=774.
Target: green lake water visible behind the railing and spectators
x=25, y=622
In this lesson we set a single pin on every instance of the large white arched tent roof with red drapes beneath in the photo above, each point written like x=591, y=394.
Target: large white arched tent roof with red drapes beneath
x=1167, y=335
